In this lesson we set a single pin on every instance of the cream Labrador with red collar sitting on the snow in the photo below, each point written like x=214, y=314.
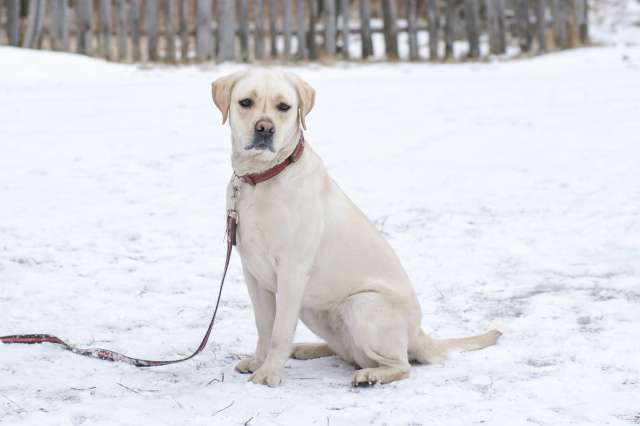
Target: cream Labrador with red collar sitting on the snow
x=308, y=252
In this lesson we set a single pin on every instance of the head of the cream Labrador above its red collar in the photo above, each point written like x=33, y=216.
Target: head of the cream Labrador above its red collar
x=265, y=108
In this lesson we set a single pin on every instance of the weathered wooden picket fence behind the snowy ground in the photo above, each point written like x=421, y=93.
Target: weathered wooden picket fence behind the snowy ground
x=183, y=31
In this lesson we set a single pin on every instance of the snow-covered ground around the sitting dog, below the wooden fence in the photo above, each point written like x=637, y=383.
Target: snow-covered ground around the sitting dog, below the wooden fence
x=511, y=192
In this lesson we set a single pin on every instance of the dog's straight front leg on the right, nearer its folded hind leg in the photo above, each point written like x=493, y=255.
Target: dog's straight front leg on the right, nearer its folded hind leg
x=292, y=281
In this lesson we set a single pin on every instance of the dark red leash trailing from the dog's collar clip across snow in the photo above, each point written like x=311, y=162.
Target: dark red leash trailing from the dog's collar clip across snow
x=109, y=355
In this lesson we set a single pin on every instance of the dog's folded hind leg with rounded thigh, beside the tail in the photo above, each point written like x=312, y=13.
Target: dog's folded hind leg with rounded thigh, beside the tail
x=377, y=339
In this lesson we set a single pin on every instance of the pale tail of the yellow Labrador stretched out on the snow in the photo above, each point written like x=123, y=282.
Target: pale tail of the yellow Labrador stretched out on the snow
x=428, y=350
